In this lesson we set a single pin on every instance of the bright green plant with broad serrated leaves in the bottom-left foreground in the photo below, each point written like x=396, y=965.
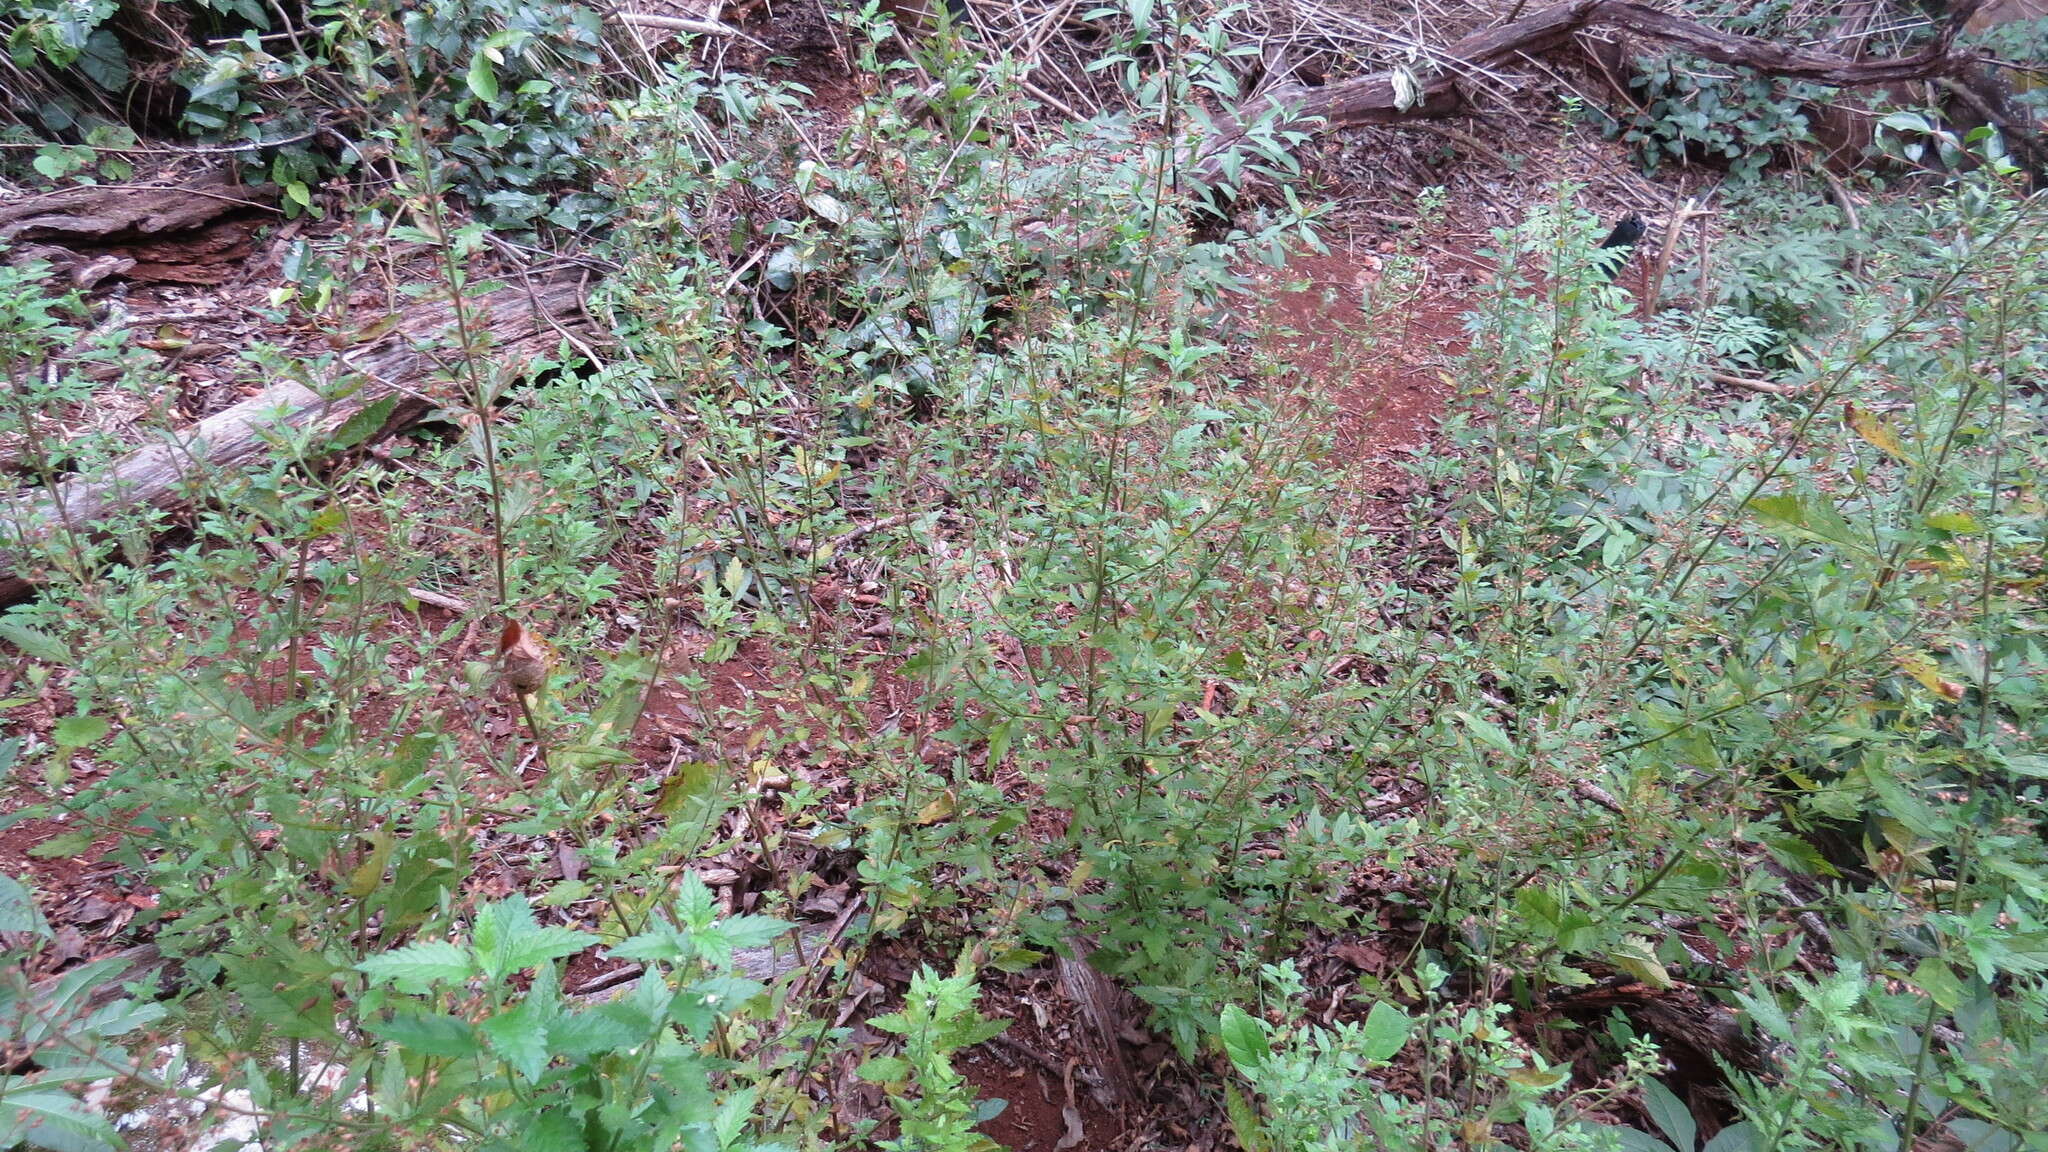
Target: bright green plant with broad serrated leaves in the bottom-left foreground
x=470, y=1051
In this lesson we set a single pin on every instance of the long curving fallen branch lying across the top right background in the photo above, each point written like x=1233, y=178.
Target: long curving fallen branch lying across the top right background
x=1390, y=97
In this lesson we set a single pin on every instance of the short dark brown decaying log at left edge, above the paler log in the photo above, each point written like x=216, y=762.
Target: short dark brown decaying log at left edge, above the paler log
x=128, y=212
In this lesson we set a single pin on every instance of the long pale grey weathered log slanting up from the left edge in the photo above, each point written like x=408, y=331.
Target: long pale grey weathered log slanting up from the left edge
x=523, y=321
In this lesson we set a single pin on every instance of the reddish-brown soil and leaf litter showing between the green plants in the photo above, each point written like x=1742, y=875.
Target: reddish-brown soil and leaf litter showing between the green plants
x=200, y=302
